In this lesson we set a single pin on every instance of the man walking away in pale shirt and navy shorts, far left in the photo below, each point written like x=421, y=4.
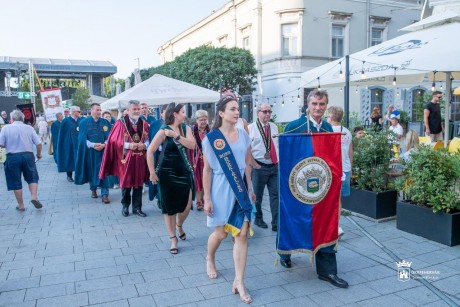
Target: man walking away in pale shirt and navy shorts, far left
x=19, y=140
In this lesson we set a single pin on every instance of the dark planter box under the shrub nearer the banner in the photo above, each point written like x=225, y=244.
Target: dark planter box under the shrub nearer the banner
x=374, y=205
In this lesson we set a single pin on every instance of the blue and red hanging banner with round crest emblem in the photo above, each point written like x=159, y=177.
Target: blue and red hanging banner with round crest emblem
x=310, y=171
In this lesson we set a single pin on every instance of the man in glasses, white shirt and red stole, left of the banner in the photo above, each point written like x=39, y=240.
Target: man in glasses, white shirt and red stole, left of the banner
x=264, y=149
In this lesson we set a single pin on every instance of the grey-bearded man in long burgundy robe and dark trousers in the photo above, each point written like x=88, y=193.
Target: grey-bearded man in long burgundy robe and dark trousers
x=125, y=157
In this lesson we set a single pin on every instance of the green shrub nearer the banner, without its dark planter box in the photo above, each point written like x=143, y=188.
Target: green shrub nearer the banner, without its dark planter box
x=371, y=159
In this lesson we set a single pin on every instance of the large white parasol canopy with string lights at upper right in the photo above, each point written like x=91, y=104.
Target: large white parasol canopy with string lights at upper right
x=410, y=58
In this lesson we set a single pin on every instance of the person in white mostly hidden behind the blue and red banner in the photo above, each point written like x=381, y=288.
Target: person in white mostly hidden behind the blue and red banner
x=335, y=115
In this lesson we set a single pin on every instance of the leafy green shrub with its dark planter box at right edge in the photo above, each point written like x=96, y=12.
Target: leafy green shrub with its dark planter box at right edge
x=431, y=201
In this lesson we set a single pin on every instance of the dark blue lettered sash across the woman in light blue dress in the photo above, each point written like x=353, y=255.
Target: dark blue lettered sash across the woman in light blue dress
x=243, y=206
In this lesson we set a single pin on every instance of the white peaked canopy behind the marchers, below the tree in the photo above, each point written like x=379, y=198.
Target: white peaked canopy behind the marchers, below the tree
x=159, y=90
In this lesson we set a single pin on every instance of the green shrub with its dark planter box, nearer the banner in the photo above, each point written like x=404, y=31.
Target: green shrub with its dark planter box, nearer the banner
x=370, y=193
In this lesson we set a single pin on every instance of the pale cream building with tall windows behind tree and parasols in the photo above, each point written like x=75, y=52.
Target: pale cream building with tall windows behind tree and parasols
x=288, y=37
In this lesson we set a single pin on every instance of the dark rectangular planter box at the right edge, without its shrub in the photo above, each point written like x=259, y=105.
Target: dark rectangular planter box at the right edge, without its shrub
x=440, y=227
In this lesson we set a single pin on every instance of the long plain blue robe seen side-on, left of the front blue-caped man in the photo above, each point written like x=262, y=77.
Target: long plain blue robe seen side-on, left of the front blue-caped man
x=67, y=144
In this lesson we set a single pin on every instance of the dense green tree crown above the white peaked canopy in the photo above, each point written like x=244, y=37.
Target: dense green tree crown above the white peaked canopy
x=210, y=67
